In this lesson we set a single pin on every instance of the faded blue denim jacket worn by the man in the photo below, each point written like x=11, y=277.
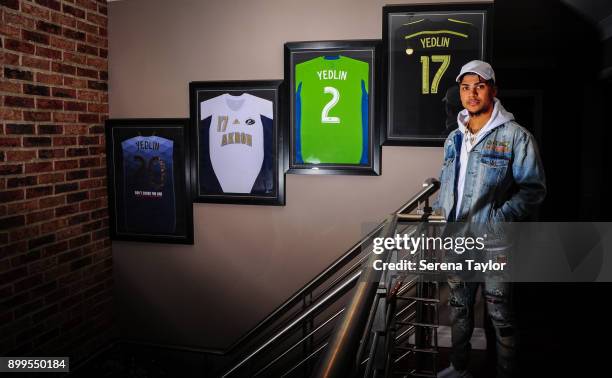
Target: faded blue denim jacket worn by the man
x=504, y=179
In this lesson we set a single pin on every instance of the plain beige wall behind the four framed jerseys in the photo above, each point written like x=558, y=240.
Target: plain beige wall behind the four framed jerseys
x=246, y=259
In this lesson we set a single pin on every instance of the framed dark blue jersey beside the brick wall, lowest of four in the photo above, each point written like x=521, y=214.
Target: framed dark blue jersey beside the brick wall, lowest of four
x=149, y=186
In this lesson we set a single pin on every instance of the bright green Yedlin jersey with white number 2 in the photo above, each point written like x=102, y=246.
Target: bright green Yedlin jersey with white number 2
x=331, y=111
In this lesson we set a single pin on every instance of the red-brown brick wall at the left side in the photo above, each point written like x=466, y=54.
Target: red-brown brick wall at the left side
x=55, y=257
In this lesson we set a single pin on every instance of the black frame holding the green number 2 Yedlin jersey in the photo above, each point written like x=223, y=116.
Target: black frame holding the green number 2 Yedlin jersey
x=359, y=153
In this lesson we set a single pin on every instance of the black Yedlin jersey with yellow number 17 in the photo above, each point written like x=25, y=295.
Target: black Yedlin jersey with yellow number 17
x=427, y=57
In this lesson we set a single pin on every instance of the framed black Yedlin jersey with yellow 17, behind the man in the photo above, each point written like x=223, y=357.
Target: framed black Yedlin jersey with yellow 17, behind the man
x=425, y=48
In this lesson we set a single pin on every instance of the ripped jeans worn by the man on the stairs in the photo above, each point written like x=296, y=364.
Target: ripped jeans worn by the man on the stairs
x=497, y=295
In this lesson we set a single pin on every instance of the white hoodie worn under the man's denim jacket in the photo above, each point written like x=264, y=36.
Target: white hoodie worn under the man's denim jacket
x=498, y=118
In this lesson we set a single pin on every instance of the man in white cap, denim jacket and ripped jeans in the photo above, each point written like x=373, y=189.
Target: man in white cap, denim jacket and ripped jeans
x=492, y=172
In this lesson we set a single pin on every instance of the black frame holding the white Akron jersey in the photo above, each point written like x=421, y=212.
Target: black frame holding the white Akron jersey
x=244, y=165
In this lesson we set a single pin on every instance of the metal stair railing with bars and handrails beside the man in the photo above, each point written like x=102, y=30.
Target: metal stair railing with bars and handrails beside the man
x=351, y=319
